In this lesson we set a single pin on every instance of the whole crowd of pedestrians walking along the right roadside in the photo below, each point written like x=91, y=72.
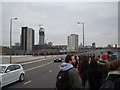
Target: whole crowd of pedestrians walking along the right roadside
x=93, y=72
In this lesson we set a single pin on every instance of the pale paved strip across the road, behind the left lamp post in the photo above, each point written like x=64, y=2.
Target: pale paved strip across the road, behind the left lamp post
x=22, y=59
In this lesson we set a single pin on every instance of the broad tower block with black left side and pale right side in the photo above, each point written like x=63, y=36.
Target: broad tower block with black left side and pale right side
x=27, y=39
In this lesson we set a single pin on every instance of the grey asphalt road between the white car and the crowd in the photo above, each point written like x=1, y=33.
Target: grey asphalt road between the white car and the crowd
x=39, y=74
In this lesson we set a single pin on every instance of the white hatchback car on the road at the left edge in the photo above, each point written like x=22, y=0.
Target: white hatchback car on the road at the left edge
x=10, y=73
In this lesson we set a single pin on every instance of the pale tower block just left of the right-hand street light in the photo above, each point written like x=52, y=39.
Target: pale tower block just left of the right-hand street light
x=72, y=43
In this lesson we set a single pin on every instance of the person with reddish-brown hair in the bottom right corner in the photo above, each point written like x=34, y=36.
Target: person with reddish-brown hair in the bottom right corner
x=113, y=79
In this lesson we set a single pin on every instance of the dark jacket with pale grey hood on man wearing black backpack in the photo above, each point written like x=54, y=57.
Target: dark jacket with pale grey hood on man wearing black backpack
x=74, y=79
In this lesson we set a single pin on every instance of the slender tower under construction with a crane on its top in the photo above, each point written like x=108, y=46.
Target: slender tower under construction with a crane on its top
x=41, y=36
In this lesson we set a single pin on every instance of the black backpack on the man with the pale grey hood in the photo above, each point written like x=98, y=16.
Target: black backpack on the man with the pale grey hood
x=62, y=80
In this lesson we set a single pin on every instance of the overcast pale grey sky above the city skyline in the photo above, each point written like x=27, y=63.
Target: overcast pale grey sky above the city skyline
x=59, y=20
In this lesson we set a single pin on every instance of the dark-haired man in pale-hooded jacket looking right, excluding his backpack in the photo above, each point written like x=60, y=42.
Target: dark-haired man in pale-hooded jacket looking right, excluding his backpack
x=74, y=81
